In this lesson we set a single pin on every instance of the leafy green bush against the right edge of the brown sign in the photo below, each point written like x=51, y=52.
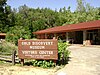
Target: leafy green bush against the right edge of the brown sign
x=63, y=53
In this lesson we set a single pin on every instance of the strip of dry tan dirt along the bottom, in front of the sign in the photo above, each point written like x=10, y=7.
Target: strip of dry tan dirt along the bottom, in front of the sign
x=26, y=70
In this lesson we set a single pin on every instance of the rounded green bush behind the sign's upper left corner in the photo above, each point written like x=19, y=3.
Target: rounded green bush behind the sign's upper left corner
x=16, y=33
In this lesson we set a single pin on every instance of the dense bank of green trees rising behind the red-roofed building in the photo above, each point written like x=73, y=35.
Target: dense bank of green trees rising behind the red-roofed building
x=30, y=19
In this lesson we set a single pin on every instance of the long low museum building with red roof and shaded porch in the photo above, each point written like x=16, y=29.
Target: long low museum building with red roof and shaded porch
x=87, y=33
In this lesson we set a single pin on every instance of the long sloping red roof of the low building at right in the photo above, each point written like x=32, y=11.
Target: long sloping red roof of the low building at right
x=72, y=27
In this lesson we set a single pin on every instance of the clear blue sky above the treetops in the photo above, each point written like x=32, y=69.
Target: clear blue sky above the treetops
x=52, y=4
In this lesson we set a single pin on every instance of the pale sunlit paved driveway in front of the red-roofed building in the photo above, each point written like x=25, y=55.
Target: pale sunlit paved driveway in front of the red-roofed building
x=84, y=61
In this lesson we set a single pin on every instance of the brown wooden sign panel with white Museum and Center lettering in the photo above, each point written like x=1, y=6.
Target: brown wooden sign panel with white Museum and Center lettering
x=38, y=49
